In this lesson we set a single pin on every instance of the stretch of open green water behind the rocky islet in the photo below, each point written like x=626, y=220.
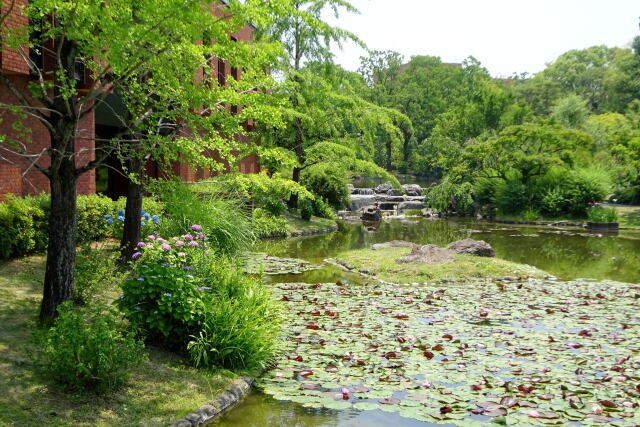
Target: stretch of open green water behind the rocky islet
x=564, y=252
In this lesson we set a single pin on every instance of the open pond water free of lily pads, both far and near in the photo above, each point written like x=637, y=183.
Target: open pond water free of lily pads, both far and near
x=568, y=253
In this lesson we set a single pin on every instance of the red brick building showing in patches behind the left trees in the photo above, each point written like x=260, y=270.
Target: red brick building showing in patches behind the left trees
x=18, y=177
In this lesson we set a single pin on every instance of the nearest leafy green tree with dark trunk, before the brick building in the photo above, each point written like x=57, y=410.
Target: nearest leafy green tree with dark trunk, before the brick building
x=147, y=52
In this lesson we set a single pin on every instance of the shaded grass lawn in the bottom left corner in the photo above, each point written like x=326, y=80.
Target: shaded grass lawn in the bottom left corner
x=162, y=389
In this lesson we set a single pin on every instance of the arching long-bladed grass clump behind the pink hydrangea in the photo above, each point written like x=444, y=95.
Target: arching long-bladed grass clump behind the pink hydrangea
x=226, y=220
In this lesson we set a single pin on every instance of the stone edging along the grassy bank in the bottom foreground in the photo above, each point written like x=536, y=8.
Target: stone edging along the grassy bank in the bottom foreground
x=221, y=404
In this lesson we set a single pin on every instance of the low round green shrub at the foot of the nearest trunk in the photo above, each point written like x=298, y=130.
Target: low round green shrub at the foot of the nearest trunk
x=88, y=349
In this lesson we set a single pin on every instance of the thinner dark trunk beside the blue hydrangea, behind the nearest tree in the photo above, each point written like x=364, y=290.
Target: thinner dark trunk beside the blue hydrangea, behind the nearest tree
x=133, y=211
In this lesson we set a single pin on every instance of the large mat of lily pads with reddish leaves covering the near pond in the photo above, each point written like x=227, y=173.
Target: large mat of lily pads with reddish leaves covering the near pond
x=519, y=353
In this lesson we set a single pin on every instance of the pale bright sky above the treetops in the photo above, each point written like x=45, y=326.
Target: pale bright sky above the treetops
x=506, y=36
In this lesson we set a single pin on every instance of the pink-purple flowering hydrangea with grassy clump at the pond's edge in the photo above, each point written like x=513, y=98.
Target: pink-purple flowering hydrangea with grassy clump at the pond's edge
x=185, y=297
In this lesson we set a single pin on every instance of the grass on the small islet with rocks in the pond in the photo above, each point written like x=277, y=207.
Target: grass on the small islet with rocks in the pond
x=383, y=263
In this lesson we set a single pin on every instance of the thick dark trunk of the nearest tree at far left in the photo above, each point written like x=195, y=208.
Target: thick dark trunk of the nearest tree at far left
x=61, y=250
